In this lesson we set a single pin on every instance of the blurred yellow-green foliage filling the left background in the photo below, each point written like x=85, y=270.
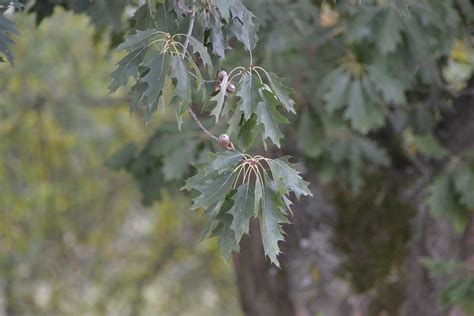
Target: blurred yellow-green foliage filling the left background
x=74, y=236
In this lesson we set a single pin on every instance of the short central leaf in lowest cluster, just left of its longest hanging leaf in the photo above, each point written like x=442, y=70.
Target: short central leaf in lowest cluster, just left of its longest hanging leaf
x=242, y=210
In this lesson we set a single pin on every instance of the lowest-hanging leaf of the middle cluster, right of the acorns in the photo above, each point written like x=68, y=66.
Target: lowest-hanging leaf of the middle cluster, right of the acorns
x=269, y=117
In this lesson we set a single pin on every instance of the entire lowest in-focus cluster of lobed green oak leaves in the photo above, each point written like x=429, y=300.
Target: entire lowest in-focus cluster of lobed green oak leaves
x=234, y=188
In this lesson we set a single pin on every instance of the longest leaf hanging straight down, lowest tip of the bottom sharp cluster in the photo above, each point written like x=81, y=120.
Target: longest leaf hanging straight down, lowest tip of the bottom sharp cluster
x=271, y=218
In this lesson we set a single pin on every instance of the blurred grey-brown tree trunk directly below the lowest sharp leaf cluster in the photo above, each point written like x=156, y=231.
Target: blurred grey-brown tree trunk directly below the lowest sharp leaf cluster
x=305, y=284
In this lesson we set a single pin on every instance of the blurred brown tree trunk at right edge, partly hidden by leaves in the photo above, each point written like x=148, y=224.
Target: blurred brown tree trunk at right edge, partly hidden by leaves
x=436, y=238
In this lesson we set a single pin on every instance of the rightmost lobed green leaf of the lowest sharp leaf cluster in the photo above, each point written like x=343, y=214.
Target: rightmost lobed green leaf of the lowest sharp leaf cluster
x=287, y=178
